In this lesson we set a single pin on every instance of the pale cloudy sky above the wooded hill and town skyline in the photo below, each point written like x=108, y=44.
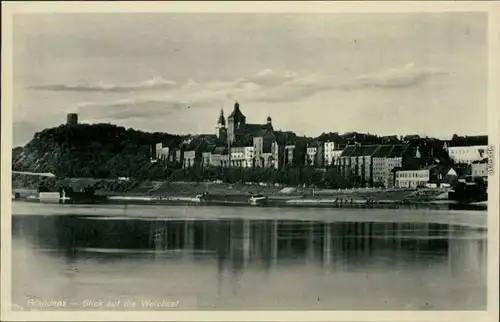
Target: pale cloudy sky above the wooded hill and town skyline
x=384, y=73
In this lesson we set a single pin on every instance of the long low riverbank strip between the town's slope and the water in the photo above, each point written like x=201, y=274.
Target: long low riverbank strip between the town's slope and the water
x=164, y=192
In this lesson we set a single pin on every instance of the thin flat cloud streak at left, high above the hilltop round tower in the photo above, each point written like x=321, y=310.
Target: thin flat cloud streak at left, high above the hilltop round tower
x=156, y=83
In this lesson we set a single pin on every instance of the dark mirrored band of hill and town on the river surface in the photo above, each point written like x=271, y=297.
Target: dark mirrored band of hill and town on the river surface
x=241, y=241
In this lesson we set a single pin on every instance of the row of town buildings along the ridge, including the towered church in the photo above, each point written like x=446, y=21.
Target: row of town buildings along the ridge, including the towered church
x=241, y=144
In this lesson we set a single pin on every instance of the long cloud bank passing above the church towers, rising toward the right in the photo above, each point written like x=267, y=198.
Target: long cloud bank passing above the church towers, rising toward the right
x=266, y=86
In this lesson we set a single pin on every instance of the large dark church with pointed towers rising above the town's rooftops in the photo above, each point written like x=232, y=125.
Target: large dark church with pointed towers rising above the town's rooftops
x=236, y=130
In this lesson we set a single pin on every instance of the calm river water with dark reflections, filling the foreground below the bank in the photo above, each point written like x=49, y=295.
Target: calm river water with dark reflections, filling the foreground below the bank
x=246, y=258
